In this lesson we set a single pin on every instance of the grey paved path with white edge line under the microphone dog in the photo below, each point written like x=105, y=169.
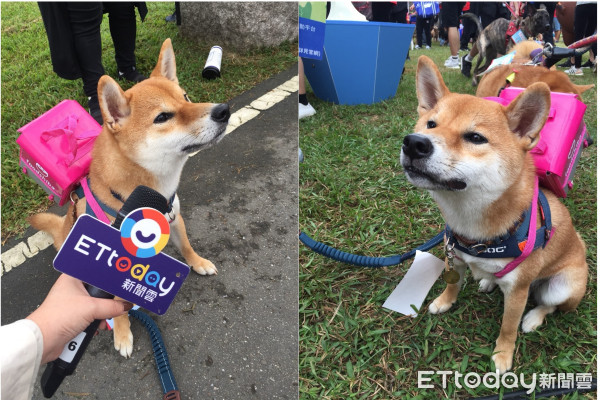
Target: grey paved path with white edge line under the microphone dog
x=230, y=336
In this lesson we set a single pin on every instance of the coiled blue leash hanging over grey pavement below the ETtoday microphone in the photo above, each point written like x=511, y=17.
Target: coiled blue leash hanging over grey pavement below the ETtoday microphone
x=160, y=356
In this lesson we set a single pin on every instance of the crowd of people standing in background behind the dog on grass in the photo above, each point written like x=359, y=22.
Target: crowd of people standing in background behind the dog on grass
x=444, y=21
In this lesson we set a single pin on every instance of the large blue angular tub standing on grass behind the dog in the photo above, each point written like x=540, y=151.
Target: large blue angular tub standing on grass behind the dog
x=362, y=61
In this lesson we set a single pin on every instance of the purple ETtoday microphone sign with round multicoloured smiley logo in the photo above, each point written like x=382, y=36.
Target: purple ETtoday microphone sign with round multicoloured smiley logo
x=127, y=263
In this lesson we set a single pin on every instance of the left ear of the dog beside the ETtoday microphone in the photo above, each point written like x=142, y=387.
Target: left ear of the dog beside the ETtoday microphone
x=113, y=103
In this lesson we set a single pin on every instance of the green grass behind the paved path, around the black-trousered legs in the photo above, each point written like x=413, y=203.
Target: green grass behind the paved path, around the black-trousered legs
x=30, y=87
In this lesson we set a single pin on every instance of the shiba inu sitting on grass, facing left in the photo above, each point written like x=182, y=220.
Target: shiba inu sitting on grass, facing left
x=472, y=155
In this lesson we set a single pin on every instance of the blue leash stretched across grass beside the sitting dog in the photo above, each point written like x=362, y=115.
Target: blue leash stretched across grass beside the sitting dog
x=365, y=261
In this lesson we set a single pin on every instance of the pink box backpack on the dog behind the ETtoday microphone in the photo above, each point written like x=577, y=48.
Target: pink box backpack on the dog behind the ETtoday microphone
x=55, y=148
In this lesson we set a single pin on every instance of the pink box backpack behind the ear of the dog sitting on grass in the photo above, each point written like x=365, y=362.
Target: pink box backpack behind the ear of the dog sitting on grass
x=561, y=140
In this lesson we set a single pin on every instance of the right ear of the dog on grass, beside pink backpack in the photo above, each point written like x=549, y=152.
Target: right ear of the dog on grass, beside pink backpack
x=528, y=113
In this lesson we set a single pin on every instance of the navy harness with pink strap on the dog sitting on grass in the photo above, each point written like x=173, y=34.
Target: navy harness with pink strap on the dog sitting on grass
x=515, y=243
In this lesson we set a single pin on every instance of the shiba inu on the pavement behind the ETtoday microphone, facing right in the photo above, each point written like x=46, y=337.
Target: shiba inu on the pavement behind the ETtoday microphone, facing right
x=148, y=134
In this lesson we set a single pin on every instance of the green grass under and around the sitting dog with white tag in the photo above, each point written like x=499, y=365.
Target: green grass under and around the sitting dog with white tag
x=354, y=196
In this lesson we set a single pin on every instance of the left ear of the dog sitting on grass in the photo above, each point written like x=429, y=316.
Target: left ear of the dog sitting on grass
x=430, y=85
